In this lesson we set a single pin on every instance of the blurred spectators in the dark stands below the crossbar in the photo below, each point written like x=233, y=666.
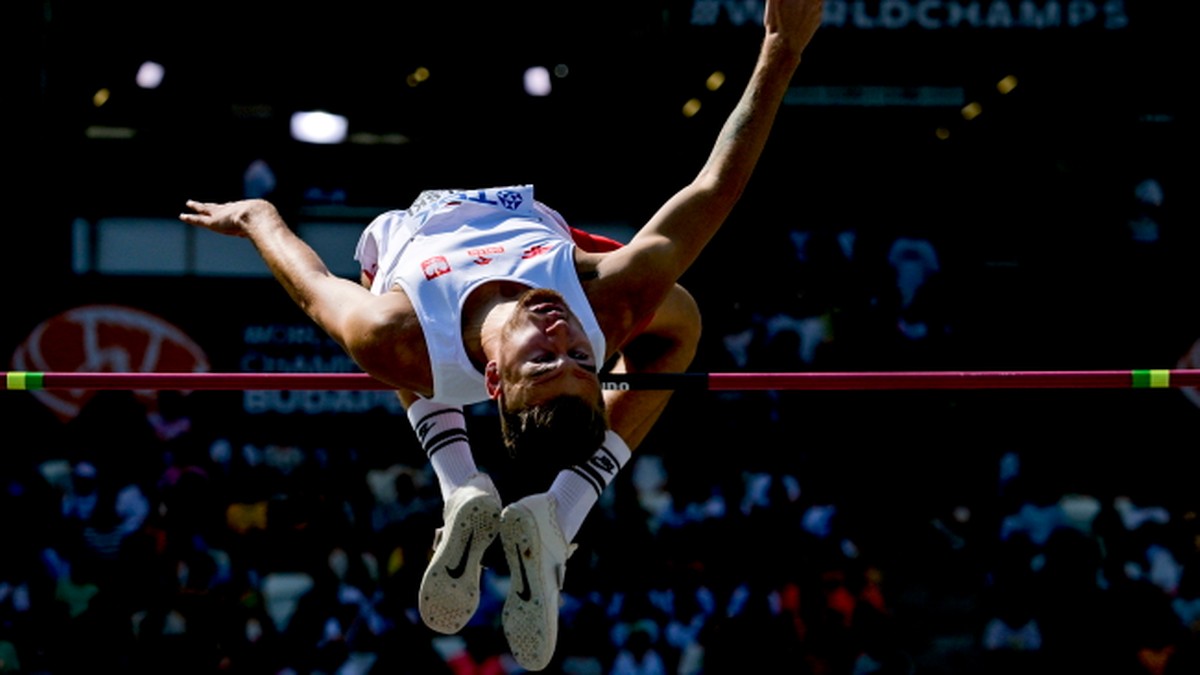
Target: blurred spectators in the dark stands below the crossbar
x=129, y=553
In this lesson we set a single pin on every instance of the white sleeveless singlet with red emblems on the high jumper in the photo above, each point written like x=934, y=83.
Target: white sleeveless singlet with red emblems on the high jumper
x=447, y=244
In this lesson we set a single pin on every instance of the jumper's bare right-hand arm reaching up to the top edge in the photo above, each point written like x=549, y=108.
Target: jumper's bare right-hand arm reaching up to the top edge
x=673, y=240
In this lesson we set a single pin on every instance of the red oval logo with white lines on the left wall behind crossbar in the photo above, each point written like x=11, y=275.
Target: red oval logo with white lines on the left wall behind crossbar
x=105, y=339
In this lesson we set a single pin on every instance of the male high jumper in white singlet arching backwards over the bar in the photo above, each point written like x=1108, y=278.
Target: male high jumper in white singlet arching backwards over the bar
x=477, y=295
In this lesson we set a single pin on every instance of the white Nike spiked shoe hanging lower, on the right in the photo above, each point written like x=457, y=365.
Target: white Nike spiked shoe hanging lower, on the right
x=537, y=553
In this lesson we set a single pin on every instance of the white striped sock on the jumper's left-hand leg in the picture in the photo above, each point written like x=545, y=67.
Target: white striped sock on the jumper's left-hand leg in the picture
x=442, y=432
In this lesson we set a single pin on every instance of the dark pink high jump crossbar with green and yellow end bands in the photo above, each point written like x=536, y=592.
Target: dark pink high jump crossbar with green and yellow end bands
x=663, y=381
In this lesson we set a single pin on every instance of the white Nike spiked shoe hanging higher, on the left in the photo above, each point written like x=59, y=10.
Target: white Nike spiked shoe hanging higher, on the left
x=449, y=594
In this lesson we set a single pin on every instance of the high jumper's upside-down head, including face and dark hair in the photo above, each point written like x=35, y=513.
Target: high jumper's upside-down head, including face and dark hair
x=545, y=380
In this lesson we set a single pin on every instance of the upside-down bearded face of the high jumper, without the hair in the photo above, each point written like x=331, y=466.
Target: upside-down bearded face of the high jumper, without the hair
x=544, y=354
